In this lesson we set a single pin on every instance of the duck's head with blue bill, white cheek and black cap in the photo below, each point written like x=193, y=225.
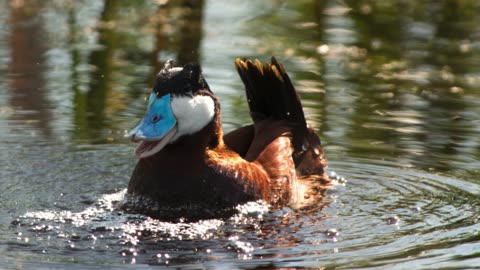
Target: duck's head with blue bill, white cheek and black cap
x=180, y=104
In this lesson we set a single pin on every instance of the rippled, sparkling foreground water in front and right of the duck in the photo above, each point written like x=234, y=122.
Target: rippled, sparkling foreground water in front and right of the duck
x=379, y=215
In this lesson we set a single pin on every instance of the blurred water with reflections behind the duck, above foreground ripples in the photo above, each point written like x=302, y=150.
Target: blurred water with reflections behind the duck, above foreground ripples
x=387, y=83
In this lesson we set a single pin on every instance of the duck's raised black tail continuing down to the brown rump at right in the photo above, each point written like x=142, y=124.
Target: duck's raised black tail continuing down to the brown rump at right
x=271, y=95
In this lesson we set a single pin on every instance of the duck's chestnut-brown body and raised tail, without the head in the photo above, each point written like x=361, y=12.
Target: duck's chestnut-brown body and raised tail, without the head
x=205, y=174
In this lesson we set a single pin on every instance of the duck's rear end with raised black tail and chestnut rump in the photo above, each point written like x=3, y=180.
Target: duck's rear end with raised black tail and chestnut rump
x=289, y=151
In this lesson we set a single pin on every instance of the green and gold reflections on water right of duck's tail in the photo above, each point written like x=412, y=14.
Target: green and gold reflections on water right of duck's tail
x=394, y=75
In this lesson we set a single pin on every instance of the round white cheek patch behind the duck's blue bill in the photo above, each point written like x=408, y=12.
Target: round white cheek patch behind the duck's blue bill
x=192, y=113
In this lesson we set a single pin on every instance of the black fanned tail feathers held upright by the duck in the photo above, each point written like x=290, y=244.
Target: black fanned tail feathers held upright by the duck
x=270, y=94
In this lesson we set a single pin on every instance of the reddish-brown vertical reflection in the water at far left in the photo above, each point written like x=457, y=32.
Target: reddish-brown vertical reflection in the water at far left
x=26, y=68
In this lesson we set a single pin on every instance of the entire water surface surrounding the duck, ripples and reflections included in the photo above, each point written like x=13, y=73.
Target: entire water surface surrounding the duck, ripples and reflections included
x=391, y=88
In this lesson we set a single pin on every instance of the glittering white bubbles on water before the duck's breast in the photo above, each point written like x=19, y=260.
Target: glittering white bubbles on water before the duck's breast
x=103, y=222
